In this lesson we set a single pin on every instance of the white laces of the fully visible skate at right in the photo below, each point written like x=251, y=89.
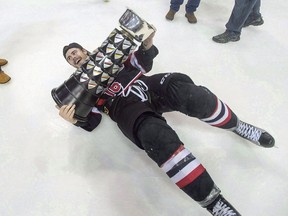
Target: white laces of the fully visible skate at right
x=248, y=131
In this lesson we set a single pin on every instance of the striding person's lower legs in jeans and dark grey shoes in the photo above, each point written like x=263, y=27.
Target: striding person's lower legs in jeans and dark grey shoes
x=244, y=13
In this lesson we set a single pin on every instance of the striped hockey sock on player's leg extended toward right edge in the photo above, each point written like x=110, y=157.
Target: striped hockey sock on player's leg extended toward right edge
x=222, y=117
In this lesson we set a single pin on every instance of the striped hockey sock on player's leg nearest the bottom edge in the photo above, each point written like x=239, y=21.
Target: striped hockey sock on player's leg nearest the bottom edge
x=188, y=174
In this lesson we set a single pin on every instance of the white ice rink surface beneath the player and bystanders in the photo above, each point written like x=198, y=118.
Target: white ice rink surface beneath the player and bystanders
x=50, y=168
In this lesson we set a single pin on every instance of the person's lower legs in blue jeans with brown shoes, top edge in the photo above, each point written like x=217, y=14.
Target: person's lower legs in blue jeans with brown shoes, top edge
x=190, y=8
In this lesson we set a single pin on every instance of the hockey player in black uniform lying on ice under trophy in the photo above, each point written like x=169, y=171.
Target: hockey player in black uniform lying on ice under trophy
x=136, y=103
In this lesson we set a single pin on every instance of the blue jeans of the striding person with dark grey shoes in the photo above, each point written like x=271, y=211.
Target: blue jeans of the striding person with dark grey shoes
x=243, y=10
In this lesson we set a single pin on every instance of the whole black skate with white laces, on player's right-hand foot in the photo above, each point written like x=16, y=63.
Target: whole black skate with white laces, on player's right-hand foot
x=256, y=135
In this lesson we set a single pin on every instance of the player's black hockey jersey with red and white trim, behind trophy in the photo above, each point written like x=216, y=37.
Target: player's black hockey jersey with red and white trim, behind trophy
x=138, y=63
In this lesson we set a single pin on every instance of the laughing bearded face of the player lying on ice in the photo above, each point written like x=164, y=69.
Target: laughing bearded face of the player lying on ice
x=76, y=57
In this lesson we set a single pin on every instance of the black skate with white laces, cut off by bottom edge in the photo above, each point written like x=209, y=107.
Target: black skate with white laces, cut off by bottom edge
x=221, y=207
